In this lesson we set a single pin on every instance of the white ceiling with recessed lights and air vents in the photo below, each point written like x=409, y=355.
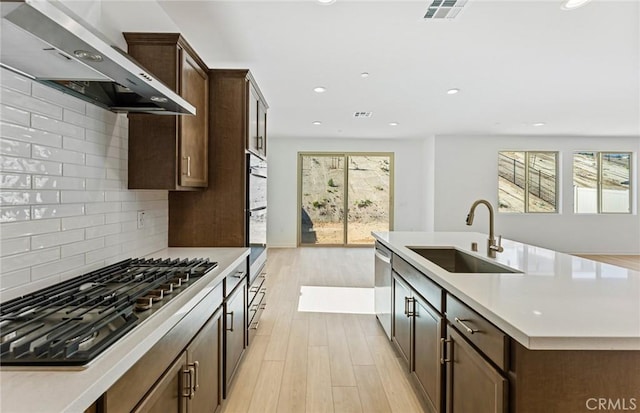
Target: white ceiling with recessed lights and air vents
x=516, y=63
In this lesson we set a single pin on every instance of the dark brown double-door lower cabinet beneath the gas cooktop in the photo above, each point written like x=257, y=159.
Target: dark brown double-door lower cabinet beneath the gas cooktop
x=192, y=383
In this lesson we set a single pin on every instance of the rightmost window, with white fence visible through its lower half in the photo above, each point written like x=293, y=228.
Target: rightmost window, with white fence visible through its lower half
x=601, y=182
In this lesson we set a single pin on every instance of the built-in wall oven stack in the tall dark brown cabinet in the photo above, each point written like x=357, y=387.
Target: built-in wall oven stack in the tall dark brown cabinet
x=257, y=209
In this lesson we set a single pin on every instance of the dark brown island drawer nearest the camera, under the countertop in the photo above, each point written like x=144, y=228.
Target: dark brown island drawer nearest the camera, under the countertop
x=480, y=332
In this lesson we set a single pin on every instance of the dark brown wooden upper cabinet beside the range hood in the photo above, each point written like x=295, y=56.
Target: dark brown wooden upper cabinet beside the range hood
x=170, y=152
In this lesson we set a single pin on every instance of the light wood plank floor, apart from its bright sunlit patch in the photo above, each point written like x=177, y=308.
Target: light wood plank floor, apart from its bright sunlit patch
x=319, y=362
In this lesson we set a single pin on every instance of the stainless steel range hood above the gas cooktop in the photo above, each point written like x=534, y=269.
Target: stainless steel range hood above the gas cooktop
x=45, y=41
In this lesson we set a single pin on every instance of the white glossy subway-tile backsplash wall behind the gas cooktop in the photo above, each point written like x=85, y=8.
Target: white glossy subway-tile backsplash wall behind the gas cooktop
x=64, y=204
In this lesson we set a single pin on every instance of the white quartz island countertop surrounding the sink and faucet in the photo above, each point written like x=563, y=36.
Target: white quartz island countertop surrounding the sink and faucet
x=558, y=302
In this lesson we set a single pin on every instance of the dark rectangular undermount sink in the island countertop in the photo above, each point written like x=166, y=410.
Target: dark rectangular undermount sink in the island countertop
x=453, y=260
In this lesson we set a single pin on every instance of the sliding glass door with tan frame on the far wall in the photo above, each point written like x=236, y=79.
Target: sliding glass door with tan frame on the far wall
x=342, y=197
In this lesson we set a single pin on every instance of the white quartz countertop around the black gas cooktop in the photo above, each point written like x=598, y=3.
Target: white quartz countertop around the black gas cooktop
x=35, y=390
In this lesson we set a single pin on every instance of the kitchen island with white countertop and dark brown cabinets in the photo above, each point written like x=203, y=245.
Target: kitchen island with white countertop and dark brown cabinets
x=557, y=334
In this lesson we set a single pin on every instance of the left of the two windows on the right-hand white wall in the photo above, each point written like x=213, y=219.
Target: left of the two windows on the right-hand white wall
x=527, y=182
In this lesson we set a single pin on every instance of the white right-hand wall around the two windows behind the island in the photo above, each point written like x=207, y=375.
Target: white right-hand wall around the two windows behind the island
x=466, y=170
